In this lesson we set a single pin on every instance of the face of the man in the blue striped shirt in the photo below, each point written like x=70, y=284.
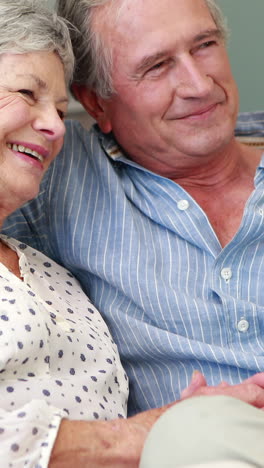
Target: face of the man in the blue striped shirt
x=175, y=94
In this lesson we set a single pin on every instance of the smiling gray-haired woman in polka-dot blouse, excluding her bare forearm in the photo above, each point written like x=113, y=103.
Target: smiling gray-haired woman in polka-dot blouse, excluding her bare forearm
x=57, y=358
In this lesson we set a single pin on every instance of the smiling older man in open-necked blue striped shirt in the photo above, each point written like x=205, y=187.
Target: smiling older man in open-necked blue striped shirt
x=158, y=210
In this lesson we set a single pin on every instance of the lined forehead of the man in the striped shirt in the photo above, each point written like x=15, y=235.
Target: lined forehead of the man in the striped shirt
x=117, y=21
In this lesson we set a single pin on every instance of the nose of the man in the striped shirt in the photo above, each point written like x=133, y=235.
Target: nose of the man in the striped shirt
x=192, y=80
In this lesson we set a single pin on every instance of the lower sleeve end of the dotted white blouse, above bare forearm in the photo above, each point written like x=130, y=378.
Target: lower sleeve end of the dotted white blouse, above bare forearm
x=27, y=435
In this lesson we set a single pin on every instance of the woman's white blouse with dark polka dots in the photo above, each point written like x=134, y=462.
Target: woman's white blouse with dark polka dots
x=57, y=359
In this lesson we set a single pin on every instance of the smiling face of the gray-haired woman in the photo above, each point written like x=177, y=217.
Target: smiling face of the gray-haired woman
x=33, y=102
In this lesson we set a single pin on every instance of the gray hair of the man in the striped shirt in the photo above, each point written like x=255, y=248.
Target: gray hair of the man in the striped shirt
x=93, y=57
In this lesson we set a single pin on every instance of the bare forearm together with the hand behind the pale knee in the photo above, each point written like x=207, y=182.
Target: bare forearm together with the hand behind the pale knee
x=119, y=443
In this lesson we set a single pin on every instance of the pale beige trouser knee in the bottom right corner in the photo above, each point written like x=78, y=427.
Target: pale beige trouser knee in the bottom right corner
x=206, y=430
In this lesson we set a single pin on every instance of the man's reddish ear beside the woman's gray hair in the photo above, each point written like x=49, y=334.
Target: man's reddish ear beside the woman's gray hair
x=94, y=106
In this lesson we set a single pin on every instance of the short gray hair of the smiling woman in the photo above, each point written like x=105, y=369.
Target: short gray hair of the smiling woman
x=28, y=26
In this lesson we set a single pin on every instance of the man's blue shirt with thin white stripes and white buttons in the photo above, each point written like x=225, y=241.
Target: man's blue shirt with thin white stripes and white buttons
x=150, y=261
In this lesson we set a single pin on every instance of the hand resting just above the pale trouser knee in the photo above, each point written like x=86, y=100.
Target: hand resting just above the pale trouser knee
x=250, y=391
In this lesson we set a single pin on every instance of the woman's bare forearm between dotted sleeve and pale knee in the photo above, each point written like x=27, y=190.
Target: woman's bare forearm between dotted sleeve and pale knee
x=97, y=444
